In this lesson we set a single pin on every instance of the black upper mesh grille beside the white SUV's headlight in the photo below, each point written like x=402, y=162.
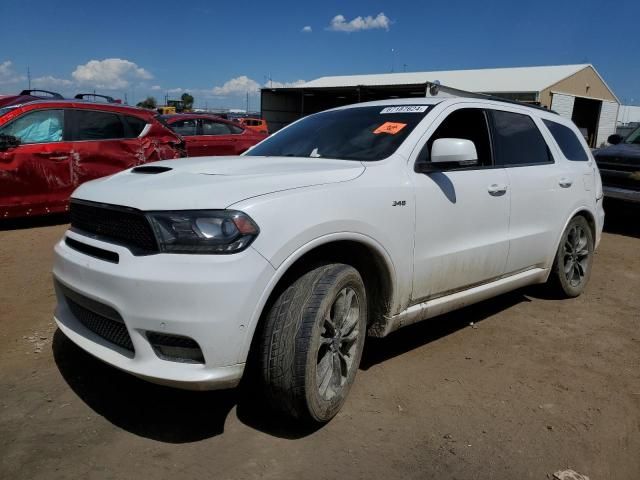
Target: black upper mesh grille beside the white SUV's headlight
x=125, y=226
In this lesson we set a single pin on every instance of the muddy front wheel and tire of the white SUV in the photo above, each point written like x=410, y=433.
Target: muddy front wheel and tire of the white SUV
x=312, y=343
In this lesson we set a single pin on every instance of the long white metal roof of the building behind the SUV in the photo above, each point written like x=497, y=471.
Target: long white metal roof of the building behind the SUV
x=519, y=79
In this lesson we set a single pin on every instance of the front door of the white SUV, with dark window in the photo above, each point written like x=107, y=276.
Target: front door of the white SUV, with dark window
x=462, y=216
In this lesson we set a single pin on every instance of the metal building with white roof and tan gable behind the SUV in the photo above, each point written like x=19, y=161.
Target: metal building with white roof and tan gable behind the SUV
x=574, y=91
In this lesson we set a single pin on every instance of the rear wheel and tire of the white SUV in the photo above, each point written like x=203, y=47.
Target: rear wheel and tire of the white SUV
x=572, y=265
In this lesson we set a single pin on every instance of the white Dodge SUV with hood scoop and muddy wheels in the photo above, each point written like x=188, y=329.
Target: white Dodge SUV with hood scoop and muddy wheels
x=351, y=222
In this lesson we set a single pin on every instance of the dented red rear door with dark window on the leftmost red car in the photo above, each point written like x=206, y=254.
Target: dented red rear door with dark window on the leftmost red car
x=103, y=143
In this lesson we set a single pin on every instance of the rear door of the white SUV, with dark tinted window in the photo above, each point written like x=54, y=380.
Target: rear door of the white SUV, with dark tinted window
x=539, y=188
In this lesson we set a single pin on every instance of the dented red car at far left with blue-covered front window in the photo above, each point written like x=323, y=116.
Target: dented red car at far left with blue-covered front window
x=49, y=147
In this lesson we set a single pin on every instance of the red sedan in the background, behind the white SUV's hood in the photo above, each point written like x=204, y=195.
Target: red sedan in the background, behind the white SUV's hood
x=210, y=135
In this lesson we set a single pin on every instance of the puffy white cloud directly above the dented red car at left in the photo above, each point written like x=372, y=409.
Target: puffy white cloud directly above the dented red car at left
x=110, y=73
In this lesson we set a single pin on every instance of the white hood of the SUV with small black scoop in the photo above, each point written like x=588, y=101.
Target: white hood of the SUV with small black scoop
x=213, y=182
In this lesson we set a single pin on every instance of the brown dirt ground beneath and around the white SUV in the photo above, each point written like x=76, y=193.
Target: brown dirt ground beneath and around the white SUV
x=534, y=386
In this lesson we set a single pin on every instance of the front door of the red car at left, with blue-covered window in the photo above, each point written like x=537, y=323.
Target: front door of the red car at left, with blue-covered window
x=37, y=173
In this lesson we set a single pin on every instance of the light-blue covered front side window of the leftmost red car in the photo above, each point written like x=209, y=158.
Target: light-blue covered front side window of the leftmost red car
x=41, y=126
